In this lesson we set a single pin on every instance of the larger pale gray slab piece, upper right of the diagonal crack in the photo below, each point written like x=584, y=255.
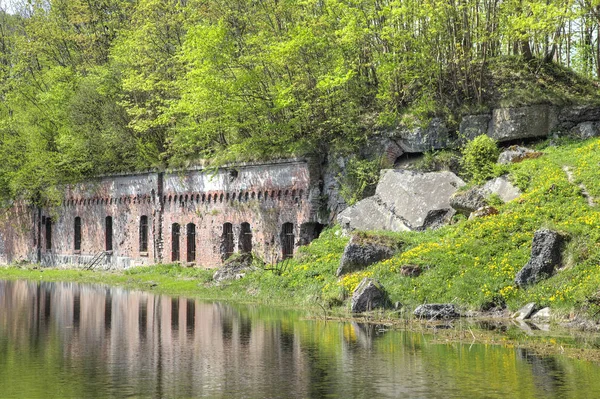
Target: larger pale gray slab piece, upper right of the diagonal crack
x=419, y=199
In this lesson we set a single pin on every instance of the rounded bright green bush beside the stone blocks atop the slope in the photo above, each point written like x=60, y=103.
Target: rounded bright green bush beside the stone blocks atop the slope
x=479, y=159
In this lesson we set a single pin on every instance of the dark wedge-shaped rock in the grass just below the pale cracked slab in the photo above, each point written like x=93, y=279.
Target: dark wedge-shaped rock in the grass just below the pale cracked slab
x=359, y=253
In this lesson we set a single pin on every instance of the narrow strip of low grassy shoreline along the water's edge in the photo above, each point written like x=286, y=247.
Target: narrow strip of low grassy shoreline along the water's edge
x=488, y=328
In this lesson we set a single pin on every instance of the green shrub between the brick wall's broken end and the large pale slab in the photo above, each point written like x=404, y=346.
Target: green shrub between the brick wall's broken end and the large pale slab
x=358, y=179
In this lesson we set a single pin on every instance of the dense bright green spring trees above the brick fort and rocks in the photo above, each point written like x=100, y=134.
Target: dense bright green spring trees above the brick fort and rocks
x=101, y=86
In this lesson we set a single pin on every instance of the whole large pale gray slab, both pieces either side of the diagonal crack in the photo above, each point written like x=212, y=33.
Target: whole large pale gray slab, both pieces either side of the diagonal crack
x=404, y=200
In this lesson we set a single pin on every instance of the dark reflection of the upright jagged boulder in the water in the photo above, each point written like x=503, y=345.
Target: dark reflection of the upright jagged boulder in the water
x=548, y=374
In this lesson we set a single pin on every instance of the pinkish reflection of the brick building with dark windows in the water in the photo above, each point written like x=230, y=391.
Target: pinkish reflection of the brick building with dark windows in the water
x=153, y=345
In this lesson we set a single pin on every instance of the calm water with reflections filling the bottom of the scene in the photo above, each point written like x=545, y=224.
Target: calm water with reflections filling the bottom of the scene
x=75, y=341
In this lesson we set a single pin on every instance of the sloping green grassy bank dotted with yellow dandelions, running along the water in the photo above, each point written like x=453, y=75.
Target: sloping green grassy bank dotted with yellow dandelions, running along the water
x=471, y=262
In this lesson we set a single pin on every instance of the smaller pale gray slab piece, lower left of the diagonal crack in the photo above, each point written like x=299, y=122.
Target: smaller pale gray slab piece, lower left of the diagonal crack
x=370, y=214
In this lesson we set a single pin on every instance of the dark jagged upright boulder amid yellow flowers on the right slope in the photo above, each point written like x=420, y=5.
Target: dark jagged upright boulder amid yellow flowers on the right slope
x=545, y=256
